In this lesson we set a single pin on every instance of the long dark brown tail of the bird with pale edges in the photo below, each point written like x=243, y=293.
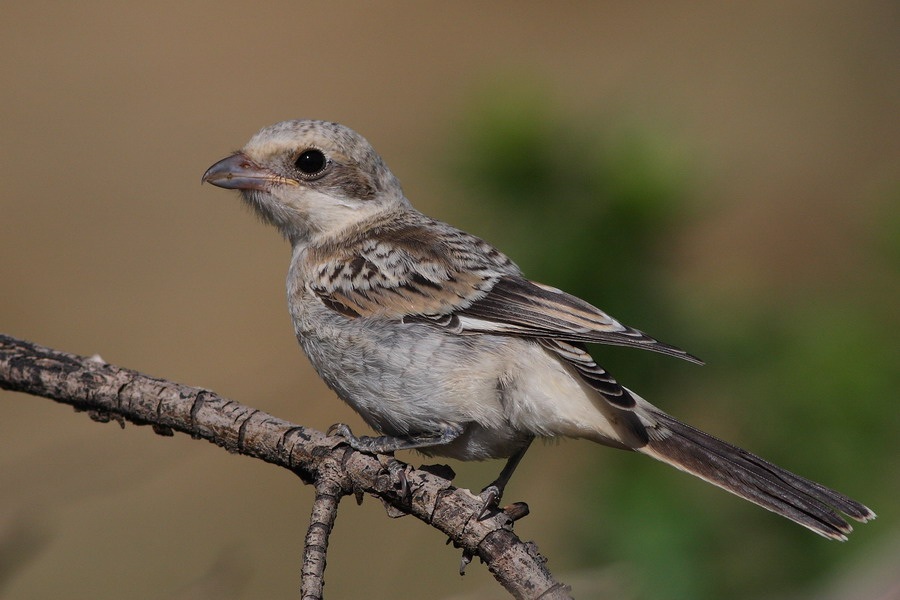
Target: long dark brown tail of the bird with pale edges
x=806, y=502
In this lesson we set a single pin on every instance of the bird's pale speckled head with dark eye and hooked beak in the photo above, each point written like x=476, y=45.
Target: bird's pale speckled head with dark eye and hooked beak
x=310, y=179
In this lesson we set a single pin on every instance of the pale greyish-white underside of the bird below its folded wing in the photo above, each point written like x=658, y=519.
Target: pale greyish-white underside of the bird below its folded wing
x=415, y=378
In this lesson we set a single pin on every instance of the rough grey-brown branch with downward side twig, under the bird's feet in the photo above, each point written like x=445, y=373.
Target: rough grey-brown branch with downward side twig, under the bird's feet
x=110, y=393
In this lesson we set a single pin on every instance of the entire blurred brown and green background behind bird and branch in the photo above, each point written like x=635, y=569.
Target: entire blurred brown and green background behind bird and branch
x=723, y=176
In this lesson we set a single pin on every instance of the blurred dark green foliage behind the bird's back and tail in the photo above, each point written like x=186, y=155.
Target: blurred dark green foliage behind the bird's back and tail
x=809, y=383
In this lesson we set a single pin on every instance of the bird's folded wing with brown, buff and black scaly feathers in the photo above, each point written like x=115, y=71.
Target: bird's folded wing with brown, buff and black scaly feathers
x=427, y=271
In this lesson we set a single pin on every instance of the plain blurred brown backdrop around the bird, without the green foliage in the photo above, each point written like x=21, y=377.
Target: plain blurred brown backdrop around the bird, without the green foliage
x=109, y=114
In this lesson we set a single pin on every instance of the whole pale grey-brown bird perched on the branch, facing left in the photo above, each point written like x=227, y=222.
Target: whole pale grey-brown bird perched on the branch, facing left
x=440, y=343
